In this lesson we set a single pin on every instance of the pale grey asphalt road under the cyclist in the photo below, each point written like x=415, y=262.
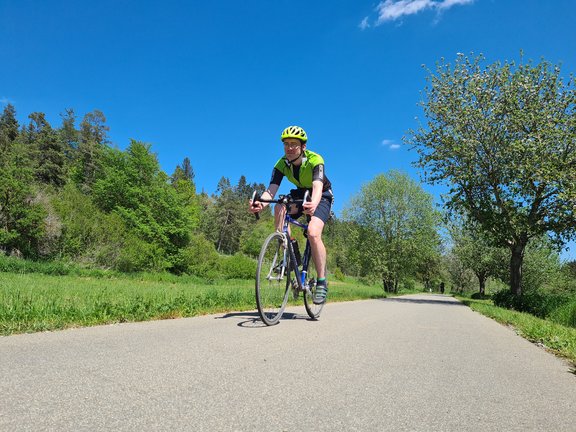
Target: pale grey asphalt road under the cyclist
x=415, y=363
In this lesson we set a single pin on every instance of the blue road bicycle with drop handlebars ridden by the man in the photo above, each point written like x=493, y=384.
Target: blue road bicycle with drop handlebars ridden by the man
x=279, y=257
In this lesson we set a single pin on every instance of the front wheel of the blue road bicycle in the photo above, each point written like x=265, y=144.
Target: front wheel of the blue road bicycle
x=272, y=279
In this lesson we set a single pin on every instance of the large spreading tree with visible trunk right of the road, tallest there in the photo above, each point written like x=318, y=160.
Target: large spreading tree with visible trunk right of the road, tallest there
x=503, y=139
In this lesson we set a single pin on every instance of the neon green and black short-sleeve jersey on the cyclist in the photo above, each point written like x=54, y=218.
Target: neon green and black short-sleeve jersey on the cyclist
x=312, y=168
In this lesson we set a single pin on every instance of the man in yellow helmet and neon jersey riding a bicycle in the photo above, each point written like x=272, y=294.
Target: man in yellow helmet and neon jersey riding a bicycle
x=305, y=169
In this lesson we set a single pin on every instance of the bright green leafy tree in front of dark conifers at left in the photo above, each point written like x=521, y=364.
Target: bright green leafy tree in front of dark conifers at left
x=132, y=185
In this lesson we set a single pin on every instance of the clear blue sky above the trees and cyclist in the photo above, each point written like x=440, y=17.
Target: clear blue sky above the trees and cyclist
x=218, y=81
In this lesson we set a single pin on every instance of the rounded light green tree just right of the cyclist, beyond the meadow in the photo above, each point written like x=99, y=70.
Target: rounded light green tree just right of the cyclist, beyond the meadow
x=398, y=227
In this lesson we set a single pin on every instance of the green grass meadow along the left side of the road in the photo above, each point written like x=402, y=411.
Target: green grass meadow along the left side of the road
x=31, y=302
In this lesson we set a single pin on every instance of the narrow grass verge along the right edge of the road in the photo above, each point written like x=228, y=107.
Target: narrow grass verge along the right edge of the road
x=555, y=337
